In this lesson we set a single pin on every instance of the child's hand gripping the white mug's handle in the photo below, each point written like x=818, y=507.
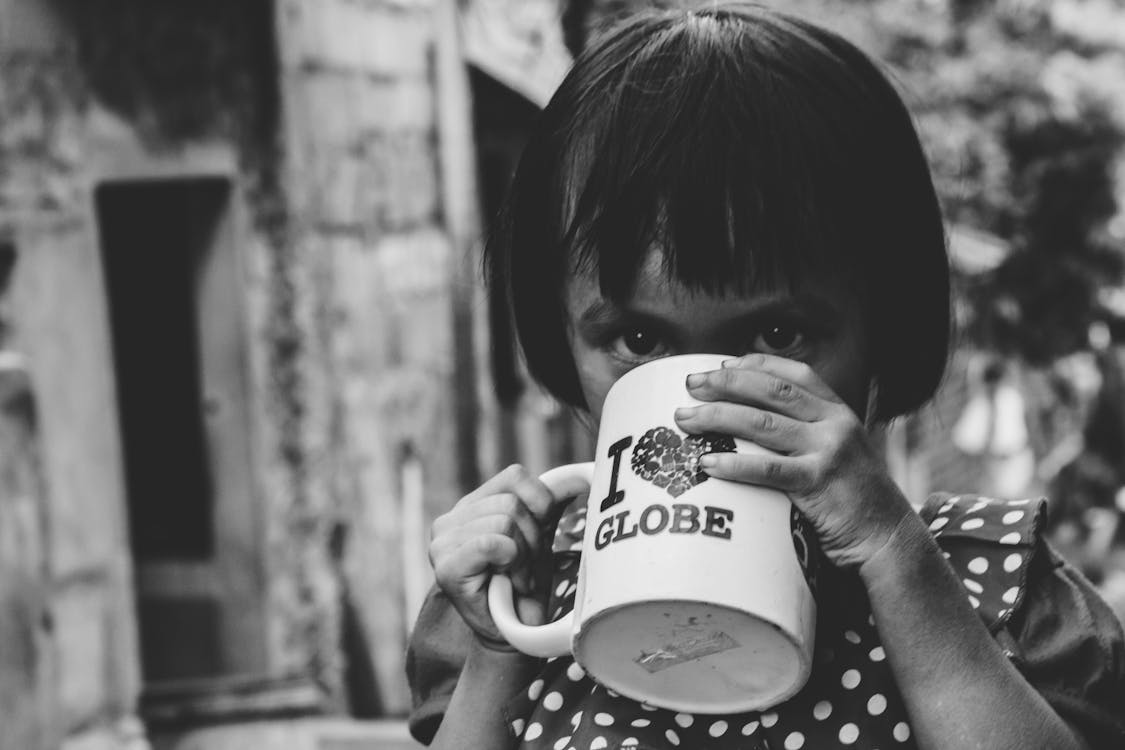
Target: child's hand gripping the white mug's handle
x=507, y=525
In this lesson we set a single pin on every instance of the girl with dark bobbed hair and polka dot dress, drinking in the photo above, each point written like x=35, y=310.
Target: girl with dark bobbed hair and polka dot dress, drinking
x=735, y=180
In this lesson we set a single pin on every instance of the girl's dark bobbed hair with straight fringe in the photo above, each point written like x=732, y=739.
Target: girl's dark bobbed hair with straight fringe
x=713, y=132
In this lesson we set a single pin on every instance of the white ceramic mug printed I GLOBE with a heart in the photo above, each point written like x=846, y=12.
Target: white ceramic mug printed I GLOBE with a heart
x=695, y=594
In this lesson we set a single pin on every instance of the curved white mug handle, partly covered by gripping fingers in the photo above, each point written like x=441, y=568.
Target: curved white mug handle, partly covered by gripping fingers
x=553, y=639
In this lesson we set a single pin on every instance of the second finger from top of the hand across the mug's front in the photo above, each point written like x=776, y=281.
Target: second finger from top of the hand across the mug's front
x=757, y=388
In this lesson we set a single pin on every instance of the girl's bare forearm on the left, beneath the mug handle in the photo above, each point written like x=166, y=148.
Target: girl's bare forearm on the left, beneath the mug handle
x=475, y=717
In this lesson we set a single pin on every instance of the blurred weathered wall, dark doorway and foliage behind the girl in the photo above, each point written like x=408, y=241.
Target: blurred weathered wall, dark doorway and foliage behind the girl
x=246, y=358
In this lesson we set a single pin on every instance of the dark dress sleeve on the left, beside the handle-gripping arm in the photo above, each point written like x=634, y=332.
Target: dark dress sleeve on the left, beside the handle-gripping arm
x=435, y=657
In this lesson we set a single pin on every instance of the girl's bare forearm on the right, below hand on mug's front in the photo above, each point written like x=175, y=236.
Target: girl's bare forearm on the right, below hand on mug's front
x=946, y=662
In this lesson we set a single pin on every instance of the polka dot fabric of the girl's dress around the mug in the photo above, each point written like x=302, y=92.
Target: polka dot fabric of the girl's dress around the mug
x=850, y=702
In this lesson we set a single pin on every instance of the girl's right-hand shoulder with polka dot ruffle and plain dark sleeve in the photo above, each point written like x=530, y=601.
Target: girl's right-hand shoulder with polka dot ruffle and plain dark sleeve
x=1051, y=621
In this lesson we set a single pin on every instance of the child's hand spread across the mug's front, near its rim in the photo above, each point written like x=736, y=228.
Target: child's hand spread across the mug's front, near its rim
x=822, y=457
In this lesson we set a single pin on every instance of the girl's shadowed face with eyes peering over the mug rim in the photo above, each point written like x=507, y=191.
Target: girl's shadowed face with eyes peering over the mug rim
x=821, y=324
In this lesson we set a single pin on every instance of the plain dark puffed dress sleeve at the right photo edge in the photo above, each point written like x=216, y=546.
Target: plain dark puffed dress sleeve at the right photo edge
x=1069, y=645
